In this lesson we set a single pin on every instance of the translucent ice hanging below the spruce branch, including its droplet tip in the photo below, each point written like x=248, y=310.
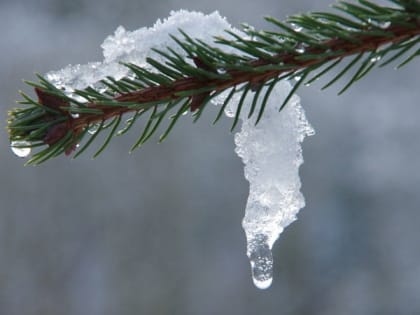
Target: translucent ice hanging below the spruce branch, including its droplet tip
x=272, y=154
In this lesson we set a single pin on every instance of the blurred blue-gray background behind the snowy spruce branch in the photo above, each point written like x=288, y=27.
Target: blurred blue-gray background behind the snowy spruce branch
x=159, y=231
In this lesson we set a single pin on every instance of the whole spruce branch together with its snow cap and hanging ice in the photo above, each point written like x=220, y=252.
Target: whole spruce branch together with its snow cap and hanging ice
x=190, y=60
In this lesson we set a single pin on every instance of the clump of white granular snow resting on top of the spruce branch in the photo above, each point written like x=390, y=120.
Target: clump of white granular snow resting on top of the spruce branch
x=135, y=47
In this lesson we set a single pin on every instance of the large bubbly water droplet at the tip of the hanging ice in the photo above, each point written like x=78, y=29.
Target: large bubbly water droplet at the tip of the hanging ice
x=261, y=259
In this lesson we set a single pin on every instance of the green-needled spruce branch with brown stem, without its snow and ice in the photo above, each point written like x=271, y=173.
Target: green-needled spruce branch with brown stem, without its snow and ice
x=304, y=47
